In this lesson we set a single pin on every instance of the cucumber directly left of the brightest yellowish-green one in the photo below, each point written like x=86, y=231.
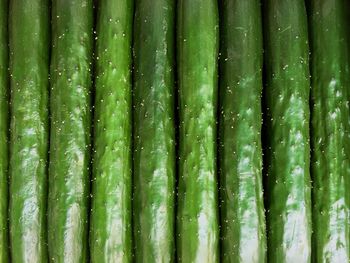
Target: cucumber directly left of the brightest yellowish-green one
x=70, y=105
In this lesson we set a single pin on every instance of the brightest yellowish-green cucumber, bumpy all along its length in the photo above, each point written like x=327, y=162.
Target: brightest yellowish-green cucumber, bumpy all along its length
x=110, y=229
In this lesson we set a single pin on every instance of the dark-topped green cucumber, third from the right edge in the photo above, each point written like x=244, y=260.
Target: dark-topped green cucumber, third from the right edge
x=240, y=162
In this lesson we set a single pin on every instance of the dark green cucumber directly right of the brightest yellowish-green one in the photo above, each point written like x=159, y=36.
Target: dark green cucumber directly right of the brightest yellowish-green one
x=154, y=131
